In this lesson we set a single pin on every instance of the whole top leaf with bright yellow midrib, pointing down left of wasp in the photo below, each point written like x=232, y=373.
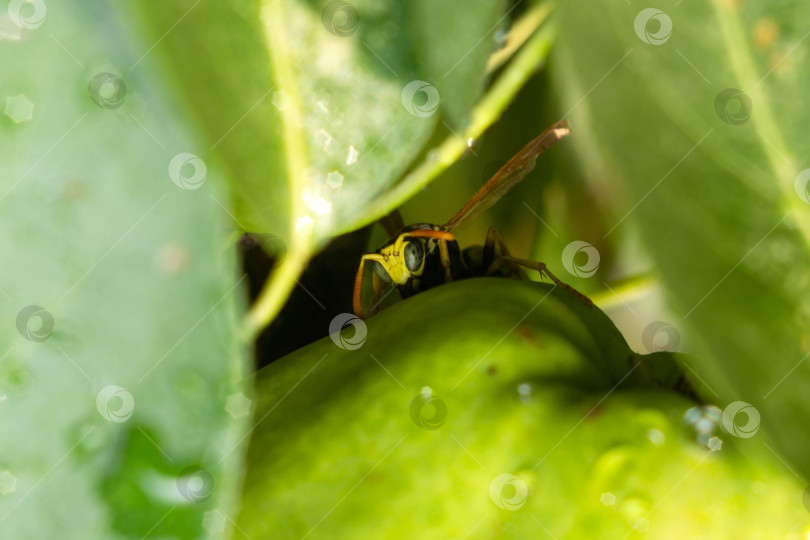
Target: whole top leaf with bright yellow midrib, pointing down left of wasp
x=324, y=108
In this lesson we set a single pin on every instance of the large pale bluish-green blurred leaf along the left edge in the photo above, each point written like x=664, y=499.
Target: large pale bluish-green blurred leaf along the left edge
x=119, y=302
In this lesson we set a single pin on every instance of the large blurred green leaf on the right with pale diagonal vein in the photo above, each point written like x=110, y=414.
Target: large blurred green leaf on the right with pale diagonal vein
x=696, y=109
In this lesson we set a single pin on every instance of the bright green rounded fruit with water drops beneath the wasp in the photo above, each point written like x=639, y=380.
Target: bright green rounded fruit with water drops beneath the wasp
x=405, y=425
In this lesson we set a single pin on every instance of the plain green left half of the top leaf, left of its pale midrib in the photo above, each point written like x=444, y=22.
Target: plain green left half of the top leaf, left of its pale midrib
x=216, y=58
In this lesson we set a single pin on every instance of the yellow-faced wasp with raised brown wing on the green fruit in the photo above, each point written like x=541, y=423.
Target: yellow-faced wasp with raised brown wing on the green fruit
x=422, y=256
